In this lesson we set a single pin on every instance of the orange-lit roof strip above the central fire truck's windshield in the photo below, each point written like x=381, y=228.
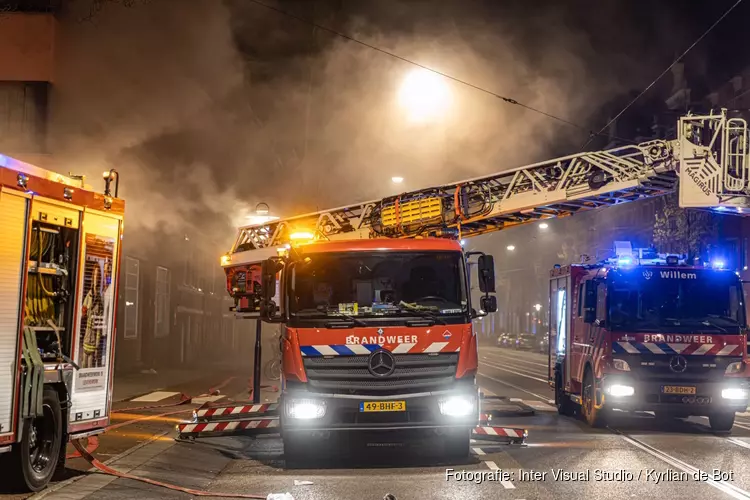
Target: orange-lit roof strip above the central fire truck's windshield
x=385, y=244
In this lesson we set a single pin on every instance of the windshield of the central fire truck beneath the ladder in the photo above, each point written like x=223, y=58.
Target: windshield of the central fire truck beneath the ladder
x=378, y=284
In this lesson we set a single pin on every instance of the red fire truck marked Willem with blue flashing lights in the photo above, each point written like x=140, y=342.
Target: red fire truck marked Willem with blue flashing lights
x=645, y=332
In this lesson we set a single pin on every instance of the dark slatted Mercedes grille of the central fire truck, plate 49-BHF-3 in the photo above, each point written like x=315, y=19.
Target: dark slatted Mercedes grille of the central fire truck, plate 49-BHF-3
x=349, y=374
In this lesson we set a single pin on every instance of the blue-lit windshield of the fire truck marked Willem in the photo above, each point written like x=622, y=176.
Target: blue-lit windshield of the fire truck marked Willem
x=679, y=300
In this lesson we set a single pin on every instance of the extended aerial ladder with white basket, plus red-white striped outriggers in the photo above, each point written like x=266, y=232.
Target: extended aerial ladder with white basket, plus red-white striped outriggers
x=709, y=158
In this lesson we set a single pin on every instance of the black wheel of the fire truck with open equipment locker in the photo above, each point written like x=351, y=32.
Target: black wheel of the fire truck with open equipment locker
x=34, y=460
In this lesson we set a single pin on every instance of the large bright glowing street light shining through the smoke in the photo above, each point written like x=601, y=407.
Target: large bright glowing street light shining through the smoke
x=424, y=95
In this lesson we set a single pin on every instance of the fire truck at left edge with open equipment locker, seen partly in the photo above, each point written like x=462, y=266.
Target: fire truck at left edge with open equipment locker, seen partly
x=59, y=265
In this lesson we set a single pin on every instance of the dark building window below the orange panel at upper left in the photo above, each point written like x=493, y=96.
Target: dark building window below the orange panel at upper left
x=23, y=117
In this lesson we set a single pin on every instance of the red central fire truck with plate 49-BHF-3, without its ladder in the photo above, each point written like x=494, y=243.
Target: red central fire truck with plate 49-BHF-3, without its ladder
x=377, y=337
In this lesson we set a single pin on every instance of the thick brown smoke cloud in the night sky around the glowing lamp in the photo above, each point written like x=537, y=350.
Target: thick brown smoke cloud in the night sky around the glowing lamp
x=207, y=108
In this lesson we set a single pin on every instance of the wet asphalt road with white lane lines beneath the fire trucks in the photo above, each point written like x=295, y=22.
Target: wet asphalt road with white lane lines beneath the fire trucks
x=634, y=458
